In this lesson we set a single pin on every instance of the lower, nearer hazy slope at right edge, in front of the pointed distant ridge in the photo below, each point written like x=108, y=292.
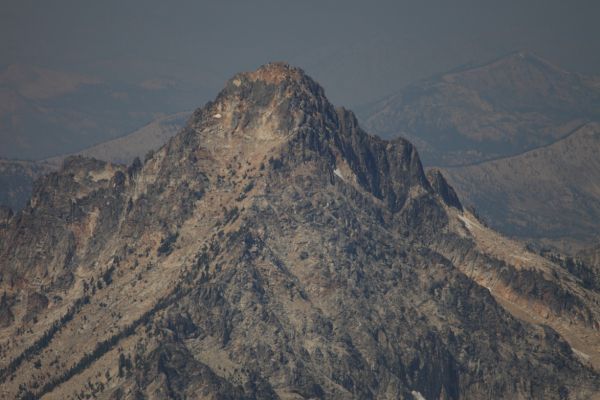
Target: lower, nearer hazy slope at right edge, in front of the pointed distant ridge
x=548, y=194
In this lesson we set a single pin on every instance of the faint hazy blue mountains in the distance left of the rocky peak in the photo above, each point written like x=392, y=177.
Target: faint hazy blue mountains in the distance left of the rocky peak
x=46, y=113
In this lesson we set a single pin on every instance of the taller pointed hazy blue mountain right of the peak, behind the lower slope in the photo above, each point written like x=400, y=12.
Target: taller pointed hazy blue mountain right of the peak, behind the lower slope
x=511, y=105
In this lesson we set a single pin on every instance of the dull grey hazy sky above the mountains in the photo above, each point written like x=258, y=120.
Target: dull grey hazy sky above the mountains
x=358, y=50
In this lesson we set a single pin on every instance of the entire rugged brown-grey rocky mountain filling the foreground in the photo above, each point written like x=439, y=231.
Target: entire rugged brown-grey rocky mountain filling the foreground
x=275, y=250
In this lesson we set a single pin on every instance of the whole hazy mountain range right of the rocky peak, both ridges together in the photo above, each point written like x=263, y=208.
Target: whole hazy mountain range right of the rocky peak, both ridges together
x=518, y=138
